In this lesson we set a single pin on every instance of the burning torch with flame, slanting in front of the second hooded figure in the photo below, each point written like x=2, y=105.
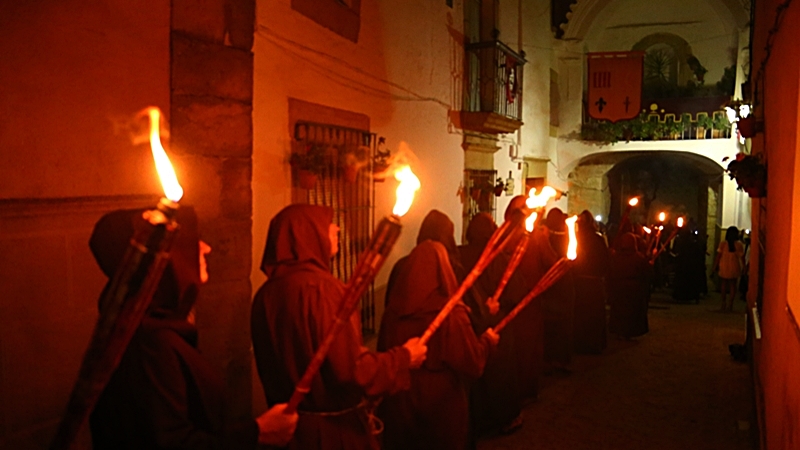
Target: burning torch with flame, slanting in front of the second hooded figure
x=384, y=238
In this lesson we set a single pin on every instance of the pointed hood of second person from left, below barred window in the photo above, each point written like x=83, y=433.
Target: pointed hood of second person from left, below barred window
x=298, y=235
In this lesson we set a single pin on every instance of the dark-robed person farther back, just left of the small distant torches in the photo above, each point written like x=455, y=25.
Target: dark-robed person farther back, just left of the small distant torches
x=628, y=289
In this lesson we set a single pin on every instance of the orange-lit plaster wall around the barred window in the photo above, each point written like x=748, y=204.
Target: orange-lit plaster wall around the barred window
x=403, y=74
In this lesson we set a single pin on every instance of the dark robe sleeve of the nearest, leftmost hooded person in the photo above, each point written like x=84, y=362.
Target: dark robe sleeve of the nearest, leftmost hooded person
x=165, y=396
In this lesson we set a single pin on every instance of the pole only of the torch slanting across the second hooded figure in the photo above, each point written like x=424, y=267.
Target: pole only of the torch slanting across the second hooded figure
x=374, y=257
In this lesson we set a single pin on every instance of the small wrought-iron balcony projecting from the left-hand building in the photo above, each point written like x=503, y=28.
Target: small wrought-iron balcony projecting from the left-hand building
x=493, y=97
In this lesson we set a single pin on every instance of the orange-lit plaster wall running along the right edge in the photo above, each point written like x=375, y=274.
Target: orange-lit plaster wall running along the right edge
x=777, y=354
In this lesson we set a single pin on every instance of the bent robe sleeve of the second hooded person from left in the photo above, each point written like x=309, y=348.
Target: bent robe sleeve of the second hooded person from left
x=377, y=373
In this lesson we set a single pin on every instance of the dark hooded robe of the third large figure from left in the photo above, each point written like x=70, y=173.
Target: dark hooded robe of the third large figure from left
x=433, y=414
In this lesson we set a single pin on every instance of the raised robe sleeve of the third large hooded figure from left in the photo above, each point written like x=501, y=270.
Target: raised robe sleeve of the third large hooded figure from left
x=460, y=349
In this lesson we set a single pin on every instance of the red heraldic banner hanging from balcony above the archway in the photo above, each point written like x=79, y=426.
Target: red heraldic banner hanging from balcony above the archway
x=615, y=85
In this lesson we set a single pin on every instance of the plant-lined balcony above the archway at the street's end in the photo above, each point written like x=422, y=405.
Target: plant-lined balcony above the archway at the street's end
x=664, y=119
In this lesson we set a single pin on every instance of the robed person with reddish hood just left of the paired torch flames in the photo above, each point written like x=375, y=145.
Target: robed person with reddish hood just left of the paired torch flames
x=528, y=326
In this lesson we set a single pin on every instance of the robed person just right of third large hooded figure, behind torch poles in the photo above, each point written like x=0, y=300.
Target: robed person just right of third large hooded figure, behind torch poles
x=495, y=403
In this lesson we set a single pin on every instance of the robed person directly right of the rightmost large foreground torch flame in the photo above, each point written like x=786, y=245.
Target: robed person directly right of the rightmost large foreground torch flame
x=590, y=269
